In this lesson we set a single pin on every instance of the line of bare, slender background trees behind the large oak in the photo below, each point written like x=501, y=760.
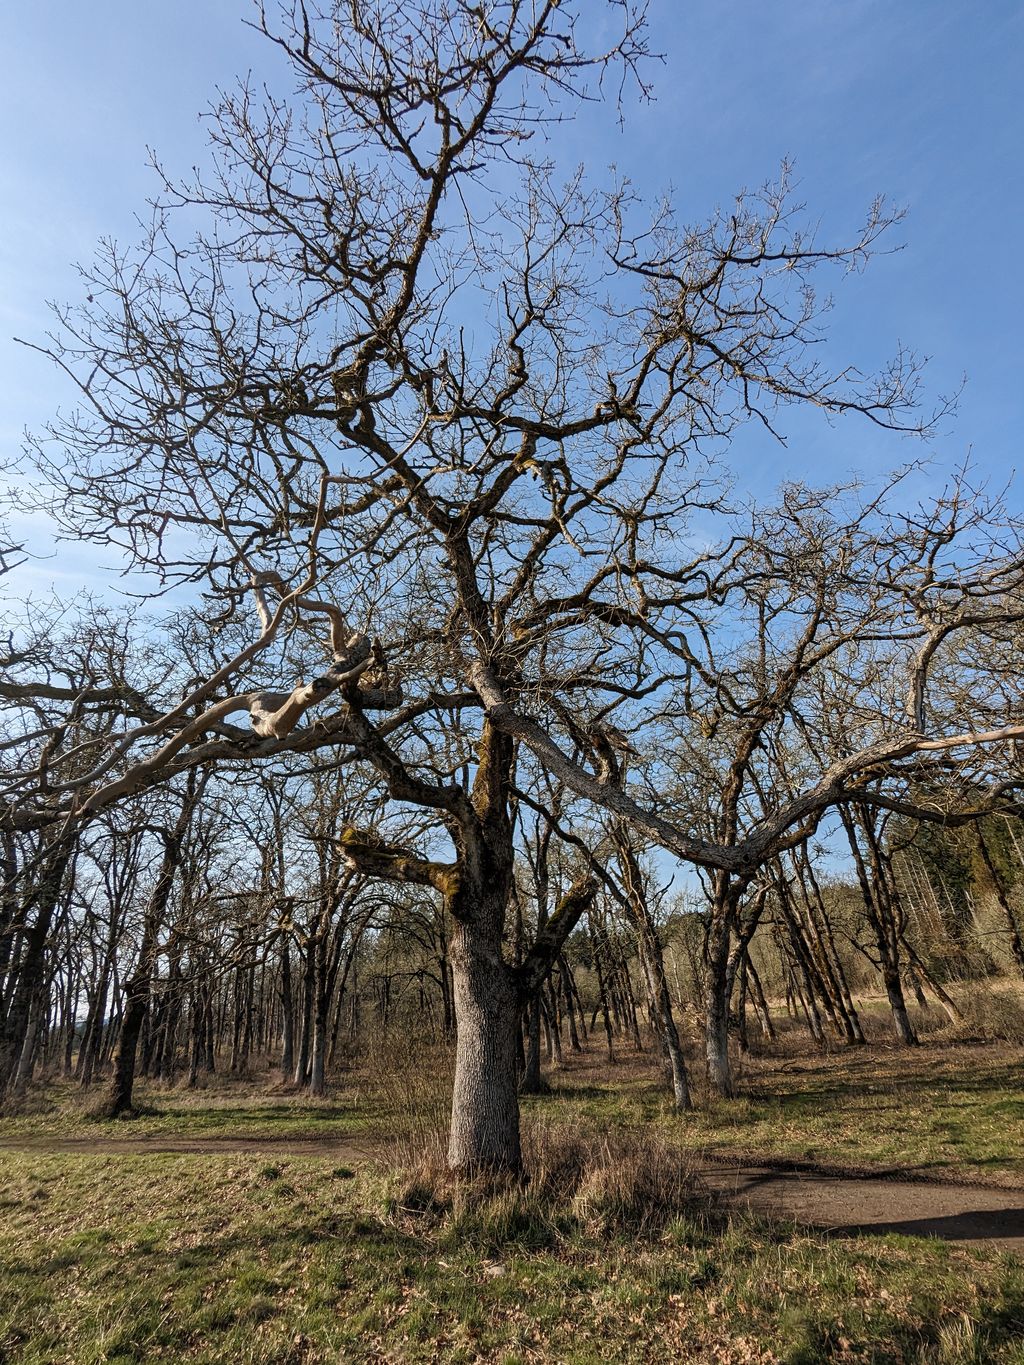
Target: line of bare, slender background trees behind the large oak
x=177, y=949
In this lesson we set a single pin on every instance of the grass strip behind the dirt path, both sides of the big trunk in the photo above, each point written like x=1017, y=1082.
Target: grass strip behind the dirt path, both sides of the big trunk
x=944, y=1109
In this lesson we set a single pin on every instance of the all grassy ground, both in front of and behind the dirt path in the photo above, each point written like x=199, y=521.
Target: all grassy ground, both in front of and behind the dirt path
x=615, y=1255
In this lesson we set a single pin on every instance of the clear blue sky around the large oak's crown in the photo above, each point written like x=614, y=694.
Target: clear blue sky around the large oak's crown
x=920, y=100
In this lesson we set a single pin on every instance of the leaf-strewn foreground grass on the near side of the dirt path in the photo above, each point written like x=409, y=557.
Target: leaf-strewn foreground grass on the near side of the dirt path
x=148, y=1258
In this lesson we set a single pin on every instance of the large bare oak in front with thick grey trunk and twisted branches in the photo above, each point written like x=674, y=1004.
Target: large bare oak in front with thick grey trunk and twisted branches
x=438, y=420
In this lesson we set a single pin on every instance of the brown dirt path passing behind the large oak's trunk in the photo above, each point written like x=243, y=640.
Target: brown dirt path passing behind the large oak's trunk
x=839, y=1205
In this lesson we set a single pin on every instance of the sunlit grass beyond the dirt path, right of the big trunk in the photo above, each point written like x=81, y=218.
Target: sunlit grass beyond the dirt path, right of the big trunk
x=936, y=1109
